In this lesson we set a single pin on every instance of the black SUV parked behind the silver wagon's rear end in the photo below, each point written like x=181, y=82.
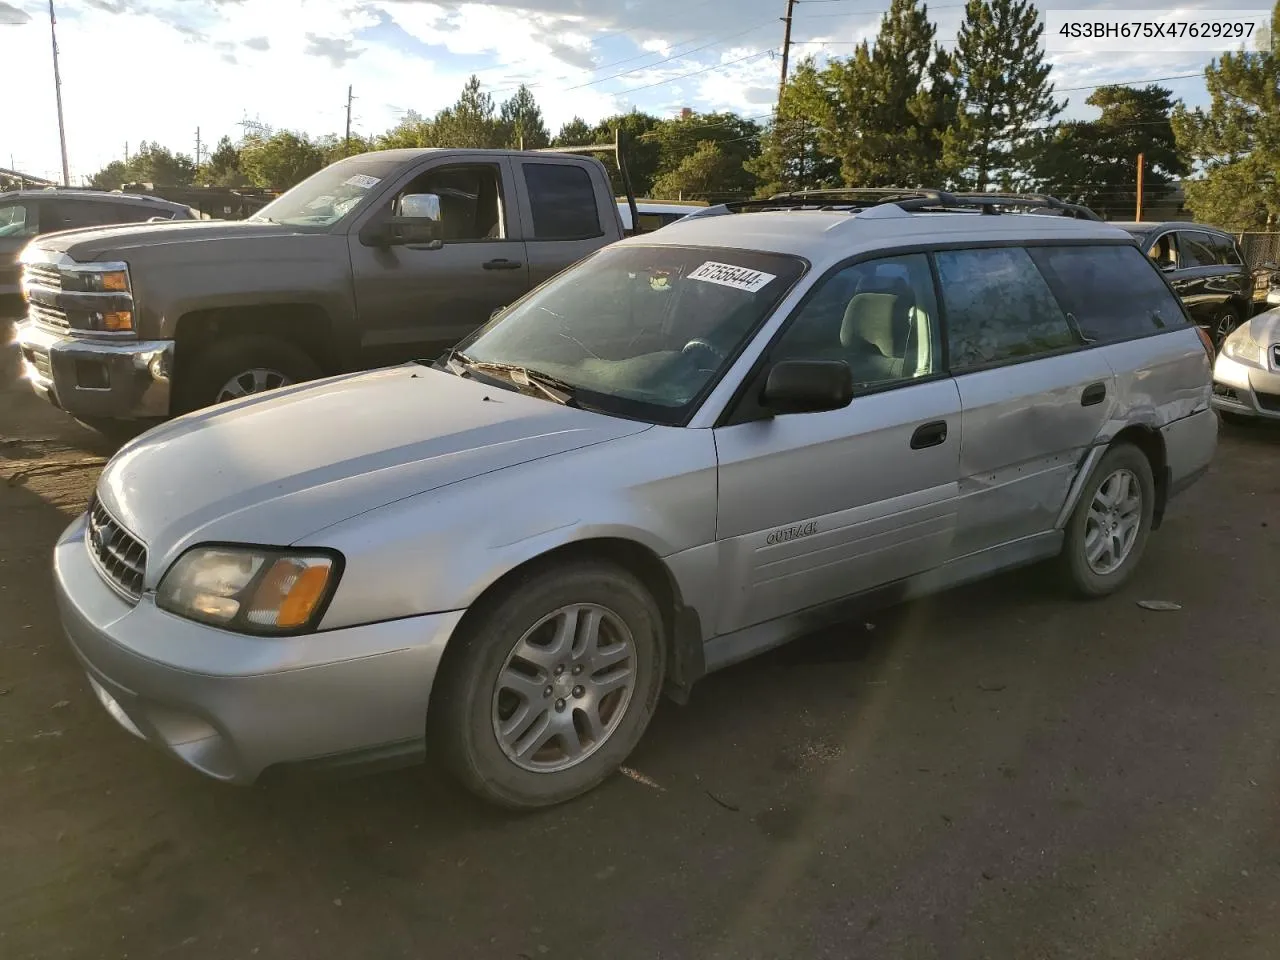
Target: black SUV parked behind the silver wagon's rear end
x=1206, y=271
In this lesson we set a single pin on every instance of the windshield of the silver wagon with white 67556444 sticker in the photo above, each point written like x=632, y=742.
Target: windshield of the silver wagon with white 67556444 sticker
x=639, y=332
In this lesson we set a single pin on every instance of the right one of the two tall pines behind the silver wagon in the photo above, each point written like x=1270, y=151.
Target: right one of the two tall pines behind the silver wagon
x=1003, y=83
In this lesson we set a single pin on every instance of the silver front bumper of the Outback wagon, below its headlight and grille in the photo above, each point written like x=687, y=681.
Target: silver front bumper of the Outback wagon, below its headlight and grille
x=234, y=706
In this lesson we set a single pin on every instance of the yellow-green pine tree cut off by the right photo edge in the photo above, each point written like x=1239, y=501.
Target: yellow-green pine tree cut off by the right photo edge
x=1237, y=140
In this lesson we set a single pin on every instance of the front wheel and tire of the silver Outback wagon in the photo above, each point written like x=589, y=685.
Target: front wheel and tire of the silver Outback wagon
x=470, y=708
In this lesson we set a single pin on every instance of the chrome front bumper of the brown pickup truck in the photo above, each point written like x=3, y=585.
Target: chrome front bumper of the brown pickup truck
x=97, y=378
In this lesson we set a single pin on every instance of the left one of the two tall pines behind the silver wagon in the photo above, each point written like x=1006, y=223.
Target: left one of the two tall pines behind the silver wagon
x=881, y=99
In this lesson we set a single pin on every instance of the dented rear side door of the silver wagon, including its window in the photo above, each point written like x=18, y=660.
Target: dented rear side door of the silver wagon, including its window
x=1034, y=397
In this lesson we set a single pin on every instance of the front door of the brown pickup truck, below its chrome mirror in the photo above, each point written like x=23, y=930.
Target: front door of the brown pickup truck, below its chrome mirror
x=415, y=303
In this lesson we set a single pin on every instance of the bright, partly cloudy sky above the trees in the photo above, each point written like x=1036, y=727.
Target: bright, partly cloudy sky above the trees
x=159, y=70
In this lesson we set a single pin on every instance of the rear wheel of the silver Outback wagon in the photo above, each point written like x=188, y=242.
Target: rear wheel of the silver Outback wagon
x=1109, y=529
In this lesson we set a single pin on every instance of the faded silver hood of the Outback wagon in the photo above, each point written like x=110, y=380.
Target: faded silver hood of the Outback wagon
x=276, y=468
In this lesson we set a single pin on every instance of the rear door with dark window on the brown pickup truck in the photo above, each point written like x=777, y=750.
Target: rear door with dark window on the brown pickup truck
x=566, y=205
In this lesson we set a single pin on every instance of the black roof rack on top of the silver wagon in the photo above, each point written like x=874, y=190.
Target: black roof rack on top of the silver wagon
x=909, y=200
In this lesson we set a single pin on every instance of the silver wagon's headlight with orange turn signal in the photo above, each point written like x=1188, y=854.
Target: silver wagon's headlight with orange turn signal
x=249, y=589
